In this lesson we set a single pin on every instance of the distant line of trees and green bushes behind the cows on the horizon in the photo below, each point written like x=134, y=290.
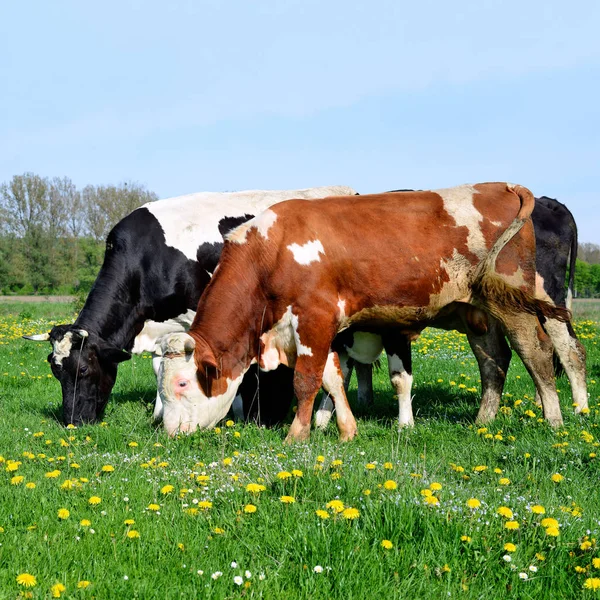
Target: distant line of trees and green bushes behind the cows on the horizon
x=52, y=235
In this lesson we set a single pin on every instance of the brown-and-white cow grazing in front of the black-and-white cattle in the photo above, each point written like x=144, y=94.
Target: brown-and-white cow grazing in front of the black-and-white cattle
x=290, y=279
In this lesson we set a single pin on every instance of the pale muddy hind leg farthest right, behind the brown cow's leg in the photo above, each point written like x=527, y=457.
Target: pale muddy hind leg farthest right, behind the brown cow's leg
x=572, y=356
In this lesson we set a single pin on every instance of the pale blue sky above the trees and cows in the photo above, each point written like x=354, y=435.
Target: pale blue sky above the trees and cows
x=230, y=95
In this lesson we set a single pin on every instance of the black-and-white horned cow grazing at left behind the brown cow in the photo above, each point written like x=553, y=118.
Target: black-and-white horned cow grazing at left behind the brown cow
x=158, y=261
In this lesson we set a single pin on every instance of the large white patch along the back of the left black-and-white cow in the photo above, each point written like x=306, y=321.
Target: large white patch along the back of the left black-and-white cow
x=188, y=221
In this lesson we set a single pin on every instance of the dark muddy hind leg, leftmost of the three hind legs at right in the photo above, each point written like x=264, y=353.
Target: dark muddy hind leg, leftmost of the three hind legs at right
x=493, y=357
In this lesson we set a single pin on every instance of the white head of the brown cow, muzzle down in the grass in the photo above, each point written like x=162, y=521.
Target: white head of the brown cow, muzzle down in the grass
x=193, y=397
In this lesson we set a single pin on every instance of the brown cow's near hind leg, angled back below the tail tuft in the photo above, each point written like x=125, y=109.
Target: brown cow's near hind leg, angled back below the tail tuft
x=534, y=347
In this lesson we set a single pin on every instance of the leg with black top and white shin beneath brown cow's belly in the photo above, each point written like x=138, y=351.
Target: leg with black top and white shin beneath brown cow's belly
x=397, y=348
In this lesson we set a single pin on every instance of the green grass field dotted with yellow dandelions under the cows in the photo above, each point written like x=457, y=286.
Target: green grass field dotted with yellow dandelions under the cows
x=119, y=510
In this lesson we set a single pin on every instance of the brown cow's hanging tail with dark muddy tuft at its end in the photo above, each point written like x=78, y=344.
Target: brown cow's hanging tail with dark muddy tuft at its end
x=499, y=296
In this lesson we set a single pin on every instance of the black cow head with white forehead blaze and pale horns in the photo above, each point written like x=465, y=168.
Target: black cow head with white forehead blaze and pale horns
x=86, y=367
